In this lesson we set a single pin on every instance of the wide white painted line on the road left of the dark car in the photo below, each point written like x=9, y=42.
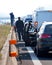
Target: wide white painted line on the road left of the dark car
x=34, y=58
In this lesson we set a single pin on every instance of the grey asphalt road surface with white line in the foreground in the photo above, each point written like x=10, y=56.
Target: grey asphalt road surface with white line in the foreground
x=28, y=57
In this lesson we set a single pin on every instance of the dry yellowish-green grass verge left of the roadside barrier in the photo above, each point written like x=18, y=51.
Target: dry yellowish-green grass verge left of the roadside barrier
x=4, y=31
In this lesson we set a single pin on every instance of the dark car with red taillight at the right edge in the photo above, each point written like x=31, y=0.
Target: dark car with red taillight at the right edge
x=44, y=39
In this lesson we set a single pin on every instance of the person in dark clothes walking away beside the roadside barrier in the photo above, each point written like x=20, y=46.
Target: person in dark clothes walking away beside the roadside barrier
x=19, y=27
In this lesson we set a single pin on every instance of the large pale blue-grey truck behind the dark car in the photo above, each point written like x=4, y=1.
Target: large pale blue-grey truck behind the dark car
x=41, y=16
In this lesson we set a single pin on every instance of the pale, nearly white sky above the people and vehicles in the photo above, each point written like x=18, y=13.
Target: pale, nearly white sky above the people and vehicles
x=22, y=7
